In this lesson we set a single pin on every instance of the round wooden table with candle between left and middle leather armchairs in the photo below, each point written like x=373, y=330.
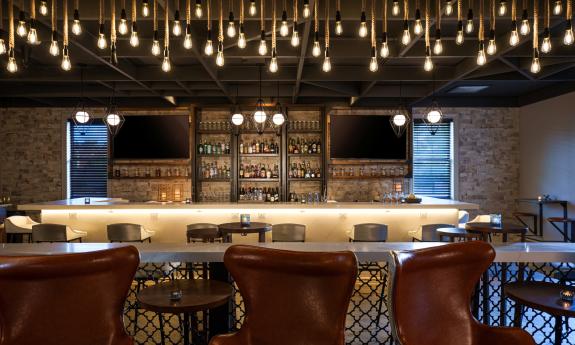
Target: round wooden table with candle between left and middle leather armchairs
x=197, y=295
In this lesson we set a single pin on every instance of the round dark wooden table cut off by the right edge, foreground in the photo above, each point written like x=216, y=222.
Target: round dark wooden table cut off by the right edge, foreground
x=544, y=297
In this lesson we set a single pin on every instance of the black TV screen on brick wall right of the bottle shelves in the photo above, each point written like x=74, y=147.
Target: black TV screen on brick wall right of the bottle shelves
x=365, y=137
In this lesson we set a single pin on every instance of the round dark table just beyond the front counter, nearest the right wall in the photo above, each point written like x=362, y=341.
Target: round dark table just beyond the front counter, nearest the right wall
x=486, y=229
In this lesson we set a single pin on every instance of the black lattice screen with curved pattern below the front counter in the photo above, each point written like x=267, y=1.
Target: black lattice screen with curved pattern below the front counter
x=368, y=318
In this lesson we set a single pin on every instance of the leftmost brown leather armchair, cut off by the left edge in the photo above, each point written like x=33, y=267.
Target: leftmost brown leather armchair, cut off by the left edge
x=66, y=299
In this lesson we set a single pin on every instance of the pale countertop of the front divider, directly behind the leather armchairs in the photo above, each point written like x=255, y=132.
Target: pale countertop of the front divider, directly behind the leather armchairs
x=213, y=252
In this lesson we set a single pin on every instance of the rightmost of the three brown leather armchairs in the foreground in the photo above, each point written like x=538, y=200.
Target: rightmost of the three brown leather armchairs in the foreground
x=431, y=295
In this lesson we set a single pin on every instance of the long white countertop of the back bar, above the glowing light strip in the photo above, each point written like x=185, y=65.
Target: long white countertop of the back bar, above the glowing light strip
x=105, y=203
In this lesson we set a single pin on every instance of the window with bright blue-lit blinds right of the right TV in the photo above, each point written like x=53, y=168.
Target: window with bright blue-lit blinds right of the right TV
x=433, y=160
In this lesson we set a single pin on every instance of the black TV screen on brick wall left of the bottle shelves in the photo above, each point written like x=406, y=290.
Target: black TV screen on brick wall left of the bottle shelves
x=153, y=137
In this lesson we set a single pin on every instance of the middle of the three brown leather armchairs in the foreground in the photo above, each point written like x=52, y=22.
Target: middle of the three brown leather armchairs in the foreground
x=291, y=298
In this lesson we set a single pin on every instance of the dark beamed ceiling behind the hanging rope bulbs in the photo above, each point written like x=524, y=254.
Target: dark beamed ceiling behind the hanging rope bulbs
x=195, y=79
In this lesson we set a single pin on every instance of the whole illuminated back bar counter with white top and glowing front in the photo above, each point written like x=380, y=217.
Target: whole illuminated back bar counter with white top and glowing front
x=325, y=222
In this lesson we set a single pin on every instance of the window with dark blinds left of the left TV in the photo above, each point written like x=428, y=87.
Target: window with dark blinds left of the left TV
x=87, y=158
